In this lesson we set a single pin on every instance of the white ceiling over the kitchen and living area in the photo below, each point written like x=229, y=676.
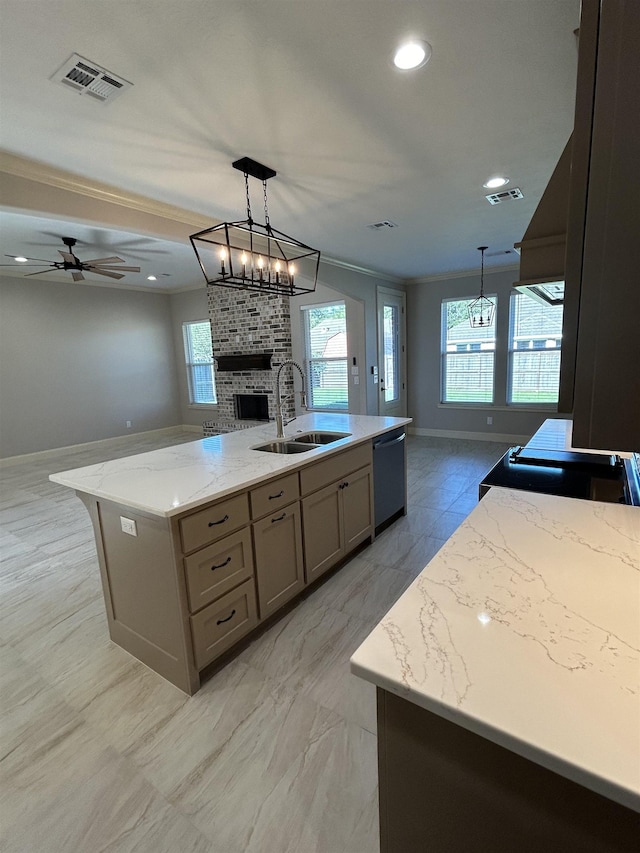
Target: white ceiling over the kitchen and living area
x=308, y=88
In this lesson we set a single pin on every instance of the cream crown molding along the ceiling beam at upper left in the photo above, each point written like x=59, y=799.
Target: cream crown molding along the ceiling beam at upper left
x=33, y=170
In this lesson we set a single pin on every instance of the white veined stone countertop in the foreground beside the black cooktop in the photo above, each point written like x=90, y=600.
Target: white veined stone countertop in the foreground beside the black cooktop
x=525, y=628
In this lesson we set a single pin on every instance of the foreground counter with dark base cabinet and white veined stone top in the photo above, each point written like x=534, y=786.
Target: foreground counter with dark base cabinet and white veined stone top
x=507, y=676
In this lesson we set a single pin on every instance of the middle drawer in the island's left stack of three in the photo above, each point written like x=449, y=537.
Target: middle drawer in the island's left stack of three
x=214, y=570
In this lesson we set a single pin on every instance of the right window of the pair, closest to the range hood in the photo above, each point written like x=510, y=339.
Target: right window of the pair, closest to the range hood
x=535, y=336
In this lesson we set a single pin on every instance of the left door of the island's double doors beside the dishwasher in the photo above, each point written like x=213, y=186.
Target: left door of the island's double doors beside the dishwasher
x=322, y=525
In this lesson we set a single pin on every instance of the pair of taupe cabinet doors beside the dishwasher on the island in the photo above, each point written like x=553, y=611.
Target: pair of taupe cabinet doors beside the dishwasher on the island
x=336, y=519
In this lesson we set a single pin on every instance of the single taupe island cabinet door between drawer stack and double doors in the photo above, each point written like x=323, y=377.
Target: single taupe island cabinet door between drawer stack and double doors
x=279, y=565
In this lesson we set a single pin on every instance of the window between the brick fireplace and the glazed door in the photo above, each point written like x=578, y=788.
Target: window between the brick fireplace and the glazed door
x=326, y=363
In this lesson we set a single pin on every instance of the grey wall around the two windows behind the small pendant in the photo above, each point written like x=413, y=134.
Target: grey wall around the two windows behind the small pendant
x=423, y=345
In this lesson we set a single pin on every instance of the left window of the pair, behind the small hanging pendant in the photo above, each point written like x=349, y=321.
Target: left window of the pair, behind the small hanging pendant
x=468, y=355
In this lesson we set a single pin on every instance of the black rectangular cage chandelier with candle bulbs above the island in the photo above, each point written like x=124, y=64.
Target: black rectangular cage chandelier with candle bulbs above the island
x=248, y=255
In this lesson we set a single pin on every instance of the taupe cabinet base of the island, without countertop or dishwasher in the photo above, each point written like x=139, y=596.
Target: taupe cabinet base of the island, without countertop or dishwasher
x=180, y=592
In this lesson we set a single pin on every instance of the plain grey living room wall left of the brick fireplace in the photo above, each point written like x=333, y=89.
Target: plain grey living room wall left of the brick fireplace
x=77, y=362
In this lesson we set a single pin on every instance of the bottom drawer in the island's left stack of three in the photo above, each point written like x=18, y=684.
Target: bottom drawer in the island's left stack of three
x=220, y=625
